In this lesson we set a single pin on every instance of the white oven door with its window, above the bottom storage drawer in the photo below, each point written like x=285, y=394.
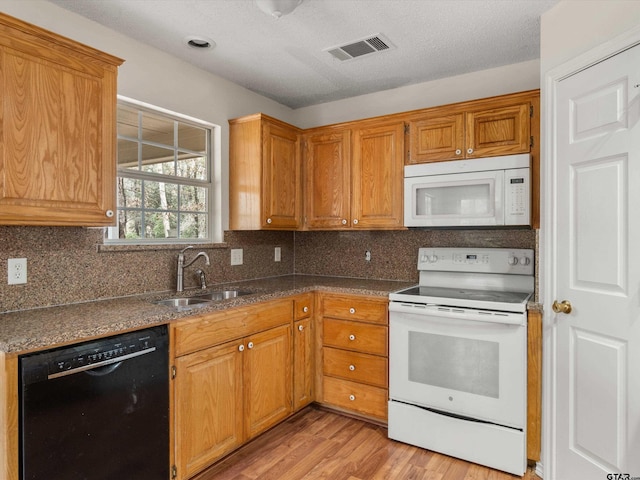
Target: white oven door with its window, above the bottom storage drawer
x=463, y=367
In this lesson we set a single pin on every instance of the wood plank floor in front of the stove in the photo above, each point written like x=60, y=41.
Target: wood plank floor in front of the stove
x=319, y=444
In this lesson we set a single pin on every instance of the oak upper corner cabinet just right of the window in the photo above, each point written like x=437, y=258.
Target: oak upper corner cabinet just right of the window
x=264, y=174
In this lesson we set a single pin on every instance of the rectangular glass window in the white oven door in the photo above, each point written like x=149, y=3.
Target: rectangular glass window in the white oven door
x=455, y=363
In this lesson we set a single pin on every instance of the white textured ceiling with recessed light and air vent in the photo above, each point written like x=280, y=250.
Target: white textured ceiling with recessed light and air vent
x=284, y=59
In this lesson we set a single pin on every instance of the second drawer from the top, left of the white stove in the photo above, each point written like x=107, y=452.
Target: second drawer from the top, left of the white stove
x=360, y=337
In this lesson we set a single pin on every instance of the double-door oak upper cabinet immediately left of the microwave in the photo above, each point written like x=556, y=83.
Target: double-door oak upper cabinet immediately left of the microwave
x=354, y=177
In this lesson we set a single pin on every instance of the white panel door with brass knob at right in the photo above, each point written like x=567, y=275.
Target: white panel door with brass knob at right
x=596, y=249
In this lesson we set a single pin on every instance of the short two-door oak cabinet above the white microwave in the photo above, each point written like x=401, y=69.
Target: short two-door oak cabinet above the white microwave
x=483, y=128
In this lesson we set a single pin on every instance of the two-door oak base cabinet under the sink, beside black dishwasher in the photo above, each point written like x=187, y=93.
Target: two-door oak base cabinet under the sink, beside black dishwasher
x=227, y=393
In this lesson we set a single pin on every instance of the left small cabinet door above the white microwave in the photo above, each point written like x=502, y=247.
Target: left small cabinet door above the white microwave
x=436, y=139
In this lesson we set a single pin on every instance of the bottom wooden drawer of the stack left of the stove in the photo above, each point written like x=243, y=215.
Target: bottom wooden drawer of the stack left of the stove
x=357, y=397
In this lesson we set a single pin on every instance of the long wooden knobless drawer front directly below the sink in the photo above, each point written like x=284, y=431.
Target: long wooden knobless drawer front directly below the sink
x=215, y=328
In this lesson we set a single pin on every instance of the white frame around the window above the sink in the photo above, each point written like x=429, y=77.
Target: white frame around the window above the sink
x=213, y=185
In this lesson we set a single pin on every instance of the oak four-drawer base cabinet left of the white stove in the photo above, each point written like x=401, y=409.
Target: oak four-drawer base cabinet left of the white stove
x=354, y=349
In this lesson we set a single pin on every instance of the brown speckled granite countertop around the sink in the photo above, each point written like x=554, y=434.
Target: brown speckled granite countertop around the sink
x=30, y=330
